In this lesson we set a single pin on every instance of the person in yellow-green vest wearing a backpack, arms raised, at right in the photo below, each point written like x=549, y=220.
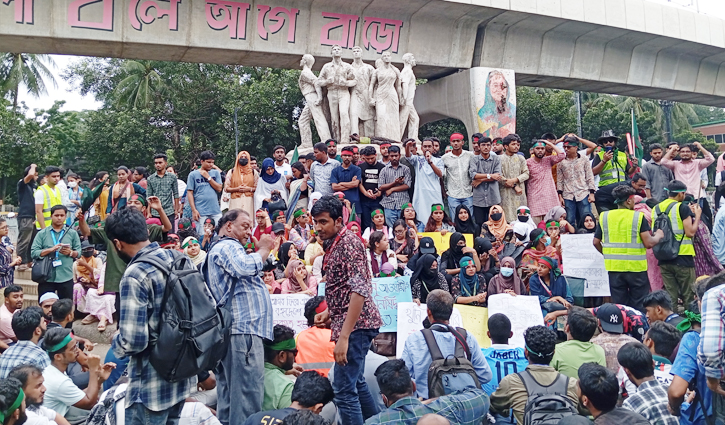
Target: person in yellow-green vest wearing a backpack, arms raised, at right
x=678, y=275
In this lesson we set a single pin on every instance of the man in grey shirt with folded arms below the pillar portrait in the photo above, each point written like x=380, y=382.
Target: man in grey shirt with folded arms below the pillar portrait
x=485, y=173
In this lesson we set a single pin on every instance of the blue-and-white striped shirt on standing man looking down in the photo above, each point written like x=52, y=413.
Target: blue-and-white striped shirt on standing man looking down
x=251, y=305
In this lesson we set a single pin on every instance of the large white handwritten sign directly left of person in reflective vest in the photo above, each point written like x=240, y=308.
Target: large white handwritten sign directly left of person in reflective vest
x=582, y=260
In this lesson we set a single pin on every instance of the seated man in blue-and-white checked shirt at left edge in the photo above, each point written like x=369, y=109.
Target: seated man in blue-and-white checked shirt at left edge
x=29, y=326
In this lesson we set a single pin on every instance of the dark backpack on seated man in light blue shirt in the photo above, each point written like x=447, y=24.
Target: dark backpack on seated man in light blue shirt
x=448, y=375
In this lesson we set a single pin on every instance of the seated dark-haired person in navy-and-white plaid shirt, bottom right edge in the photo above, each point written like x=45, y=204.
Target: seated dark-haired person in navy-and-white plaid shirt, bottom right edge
x=650, y=400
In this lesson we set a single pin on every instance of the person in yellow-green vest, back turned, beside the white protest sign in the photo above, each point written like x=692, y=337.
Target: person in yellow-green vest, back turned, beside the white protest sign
x=623, y=237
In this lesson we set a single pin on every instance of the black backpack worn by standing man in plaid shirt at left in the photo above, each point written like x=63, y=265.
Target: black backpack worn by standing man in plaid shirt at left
x=193, y=333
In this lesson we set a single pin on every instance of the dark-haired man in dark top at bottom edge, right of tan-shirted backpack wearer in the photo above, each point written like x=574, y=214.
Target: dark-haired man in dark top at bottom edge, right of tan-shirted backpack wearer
x=599, y=391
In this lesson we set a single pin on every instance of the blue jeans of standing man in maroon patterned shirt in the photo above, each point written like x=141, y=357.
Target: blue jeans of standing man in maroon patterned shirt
x=354, y=402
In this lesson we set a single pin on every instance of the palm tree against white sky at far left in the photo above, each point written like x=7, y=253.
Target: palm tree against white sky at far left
x=26, y=69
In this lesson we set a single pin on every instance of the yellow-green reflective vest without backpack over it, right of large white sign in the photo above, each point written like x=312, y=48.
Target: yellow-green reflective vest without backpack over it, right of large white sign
x=621, y=244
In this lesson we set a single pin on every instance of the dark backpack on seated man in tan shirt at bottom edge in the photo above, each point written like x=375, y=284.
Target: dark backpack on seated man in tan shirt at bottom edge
x=546, y=405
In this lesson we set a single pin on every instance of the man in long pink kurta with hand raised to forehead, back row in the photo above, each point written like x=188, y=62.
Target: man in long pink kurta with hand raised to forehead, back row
x=542, y=194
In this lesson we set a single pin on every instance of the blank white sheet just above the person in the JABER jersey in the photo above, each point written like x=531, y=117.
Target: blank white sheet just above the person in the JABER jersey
x=522, y=310
